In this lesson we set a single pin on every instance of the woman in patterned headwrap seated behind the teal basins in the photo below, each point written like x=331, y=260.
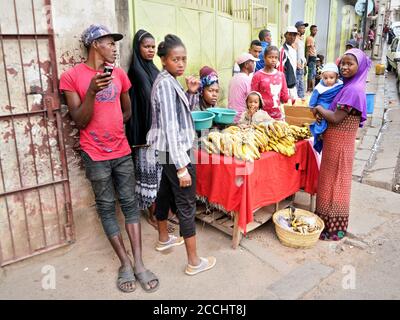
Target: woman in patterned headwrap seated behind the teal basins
x=209, y=93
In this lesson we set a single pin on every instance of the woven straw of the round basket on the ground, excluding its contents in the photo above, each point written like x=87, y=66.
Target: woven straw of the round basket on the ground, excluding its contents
x=294, y=239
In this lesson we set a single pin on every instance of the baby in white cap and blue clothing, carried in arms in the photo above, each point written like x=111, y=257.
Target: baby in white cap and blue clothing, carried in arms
x=323, y=95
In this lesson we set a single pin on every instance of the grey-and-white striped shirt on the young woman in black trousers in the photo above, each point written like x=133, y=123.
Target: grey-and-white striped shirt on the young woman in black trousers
x=172, y=128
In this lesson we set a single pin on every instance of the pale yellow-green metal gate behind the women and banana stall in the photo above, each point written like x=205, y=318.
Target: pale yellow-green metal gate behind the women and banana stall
x=215, y=32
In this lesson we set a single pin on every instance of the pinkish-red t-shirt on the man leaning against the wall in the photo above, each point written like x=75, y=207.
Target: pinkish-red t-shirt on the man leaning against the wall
x=104, y=137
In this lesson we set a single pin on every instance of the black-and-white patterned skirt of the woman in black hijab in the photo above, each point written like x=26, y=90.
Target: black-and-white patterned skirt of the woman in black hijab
x=147, y=175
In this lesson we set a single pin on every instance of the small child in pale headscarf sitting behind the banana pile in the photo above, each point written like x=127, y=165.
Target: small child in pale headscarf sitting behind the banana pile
x=254, y=113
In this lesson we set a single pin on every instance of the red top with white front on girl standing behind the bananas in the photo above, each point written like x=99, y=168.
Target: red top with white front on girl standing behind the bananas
x=273, y=89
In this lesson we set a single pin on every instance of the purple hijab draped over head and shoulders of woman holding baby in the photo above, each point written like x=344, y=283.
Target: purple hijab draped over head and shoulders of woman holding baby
x=353, y=92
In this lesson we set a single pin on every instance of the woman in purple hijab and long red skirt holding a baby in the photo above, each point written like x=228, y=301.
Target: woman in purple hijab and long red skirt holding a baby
x=346, y=113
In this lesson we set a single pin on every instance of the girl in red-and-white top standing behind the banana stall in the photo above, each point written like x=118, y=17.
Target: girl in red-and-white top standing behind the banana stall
x=271, y=83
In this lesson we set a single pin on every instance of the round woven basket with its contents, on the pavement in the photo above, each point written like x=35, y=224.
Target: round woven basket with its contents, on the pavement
x=297, y=228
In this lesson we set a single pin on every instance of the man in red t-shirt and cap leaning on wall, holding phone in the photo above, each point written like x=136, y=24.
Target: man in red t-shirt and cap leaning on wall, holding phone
x=99, y=104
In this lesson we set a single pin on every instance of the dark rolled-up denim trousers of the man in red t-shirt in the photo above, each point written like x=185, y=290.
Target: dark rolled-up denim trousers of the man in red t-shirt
x=107, y=177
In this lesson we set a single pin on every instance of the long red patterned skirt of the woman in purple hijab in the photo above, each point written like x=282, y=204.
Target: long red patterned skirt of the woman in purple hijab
x=334, y=186
